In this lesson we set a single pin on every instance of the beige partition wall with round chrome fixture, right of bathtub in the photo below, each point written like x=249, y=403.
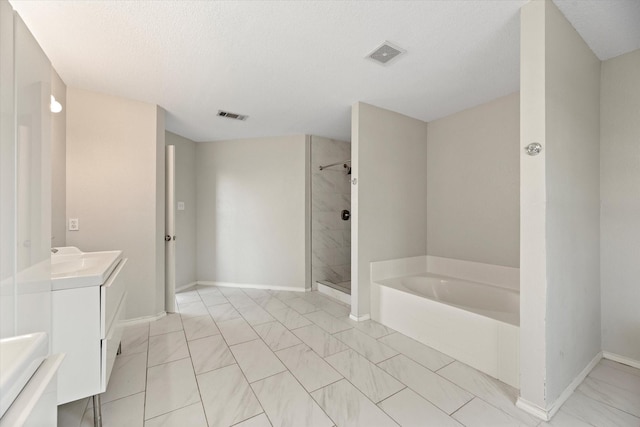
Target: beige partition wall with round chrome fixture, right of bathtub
x=559, y=263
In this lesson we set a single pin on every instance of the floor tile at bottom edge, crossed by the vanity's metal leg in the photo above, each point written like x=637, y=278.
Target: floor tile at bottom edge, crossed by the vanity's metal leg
x=128, y=411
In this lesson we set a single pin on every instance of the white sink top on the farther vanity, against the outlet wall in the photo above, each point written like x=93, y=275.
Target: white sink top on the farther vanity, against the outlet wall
x=72, y=268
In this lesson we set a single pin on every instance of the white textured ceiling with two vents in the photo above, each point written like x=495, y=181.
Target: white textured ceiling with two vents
x=297, y=67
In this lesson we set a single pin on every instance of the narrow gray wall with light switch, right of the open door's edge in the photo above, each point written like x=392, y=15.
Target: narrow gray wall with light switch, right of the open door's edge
x=185, y=185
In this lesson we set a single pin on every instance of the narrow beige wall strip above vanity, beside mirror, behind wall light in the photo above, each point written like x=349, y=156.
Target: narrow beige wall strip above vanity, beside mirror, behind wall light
x=58, y=163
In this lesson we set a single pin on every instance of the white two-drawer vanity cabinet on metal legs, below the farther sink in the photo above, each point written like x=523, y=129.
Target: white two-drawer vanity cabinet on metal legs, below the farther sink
x=87, y=327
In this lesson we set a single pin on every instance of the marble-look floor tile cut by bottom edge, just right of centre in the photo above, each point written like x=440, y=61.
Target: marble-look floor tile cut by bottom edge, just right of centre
x=348, y=407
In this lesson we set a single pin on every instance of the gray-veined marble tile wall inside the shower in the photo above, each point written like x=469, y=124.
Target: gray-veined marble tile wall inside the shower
x=330, y=194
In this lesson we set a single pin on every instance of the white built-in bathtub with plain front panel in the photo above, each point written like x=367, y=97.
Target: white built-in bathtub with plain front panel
x=475, y=323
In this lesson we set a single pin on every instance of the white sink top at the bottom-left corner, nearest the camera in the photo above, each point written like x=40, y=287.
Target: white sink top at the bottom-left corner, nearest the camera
x=20, y=357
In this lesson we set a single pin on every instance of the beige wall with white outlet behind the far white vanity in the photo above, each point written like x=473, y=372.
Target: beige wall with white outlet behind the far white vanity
x=115, y=187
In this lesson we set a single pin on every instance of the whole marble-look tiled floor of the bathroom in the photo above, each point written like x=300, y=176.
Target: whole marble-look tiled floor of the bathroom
x=273, y=358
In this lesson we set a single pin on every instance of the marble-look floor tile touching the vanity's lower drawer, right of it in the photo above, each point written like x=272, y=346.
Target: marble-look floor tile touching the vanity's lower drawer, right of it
x=127, y=377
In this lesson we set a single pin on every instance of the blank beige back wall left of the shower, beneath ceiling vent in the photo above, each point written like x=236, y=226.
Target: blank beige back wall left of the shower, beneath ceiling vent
x=251, y=211
